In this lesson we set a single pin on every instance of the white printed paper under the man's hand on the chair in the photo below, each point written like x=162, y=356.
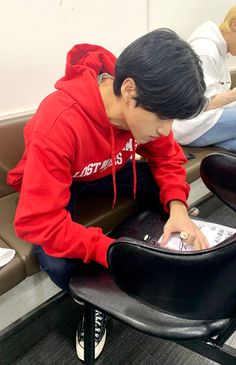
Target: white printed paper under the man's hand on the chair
x=215, y=233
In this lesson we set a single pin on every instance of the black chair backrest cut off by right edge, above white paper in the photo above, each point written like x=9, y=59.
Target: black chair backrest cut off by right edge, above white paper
x=218, y=172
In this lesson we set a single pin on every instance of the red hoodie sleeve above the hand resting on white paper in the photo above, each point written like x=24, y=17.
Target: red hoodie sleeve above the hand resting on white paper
x=166, y=159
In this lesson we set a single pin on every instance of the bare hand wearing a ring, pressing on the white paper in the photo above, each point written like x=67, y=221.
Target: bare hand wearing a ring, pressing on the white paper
x=179, y=221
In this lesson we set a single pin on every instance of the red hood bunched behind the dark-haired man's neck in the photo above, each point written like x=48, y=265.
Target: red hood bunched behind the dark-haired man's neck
x=84, y=63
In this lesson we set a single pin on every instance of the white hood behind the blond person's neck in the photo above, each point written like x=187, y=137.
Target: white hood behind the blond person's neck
x=209, y=31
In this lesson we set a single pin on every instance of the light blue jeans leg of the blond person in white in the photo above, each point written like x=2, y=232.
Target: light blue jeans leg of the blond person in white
x=222, y=134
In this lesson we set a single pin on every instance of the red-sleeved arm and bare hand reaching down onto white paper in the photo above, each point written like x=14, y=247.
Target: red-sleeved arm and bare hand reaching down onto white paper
x=166, y=160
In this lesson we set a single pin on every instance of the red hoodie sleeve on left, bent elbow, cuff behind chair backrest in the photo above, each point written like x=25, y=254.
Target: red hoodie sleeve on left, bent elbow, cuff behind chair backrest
x=41, y=217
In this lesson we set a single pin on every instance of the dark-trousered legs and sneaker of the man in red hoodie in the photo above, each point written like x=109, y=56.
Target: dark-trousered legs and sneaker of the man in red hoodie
x=60, y=270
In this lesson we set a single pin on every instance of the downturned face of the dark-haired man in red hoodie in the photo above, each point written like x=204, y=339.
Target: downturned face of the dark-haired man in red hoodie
x=144, y=125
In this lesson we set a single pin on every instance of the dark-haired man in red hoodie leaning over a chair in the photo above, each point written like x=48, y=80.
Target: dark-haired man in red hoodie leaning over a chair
x=81, y=140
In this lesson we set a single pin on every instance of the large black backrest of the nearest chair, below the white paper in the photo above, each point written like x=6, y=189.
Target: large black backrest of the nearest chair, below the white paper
x=193, y=285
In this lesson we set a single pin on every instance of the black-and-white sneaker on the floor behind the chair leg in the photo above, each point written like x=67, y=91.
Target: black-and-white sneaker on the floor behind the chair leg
x=100, y=335
